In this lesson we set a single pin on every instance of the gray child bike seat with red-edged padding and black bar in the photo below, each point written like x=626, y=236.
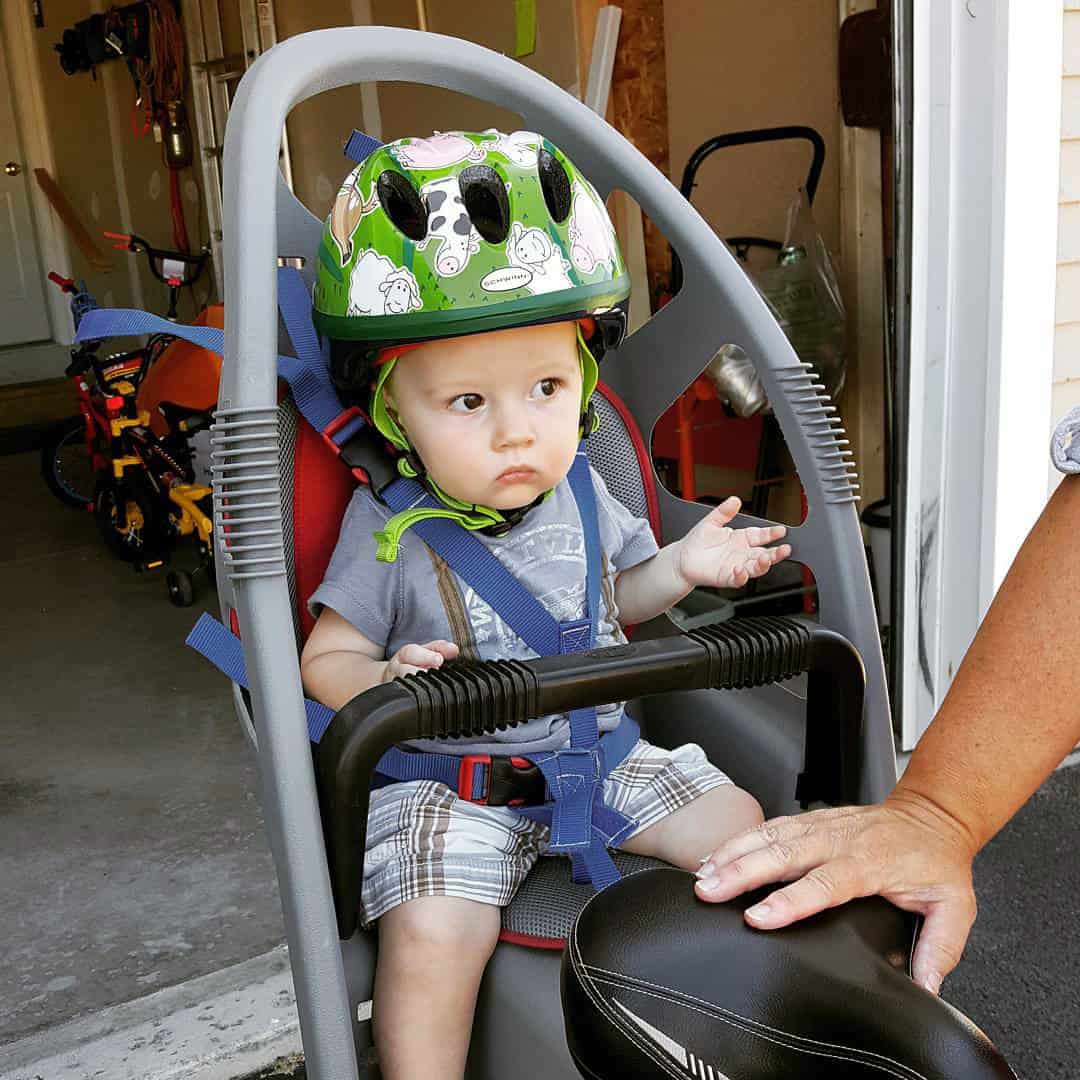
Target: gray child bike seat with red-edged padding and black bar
x=766, y=737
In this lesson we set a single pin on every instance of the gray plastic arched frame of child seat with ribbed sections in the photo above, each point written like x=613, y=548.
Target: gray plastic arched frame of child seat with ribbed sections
x=718, y=305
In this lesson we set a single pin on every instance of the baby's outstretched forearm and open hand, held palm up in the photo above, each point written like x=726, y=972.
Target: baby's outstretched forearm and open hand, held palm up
x=710, y=555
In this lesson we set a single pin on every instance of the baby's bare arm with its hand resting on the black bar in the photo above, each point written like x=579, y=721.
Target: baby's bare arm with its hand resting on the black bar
x=339, y=661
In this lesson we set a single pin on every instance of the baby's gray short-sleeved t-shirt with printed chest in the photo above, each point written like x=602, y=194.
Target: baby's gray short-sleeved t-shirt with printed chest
x=420, y=599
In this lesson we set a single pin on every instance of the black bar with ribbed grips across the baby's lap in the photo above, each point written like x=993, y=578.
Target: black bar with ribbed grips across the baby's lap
x=470, y=699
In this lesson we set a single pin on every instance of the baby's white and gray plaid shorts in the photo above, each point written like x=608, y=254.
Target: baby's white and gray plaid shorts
x=423, y=841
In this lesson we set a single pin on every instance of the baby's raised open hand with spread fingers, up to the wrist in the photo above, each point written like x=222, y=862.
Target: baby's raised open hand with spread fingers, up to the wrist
x=713, y=555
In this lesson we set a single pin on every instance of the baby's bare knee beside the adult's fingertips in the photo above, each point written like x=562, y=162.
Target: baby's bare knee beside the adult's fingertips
x=687, y=835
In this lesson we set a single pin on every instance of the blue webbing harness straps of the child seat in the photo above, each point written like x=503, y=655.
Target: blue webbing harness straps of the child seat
x=582, y=826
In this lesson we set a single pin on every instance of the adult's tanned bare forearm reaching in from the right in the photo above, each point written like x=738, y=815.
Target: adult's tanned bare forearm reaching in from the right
x=1014, y=711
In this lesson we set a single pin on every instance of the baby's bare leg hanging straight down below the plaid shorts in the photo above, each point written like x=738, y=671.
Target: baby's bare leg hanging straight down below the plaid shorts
x=433, y=954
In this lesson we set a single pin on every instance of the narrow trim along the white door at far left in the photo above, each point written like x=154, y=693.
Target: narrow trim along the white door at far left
x=33, y=123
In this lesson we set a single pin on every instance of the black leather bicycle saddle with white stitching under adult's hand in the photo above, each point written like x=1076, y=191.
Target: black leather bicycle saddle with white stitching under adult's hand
x=657, y=983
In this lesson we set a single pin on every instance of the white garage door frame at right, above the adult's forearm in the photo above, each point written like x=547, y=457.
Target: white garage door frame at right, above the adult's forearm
x=987, y=128
